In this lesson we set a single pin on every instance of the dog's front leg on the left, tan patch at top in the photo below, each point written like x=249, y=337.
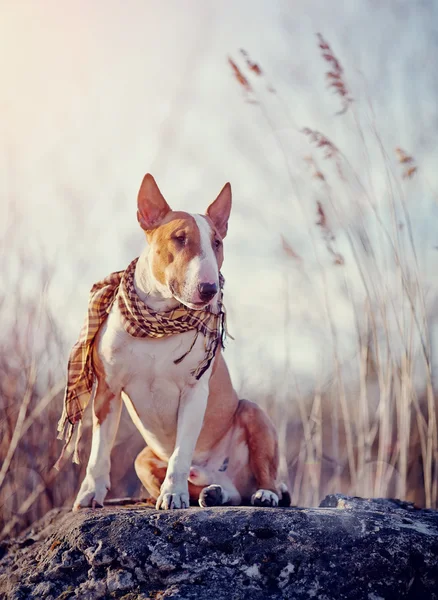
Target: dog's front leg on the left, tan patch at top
x=106, y=417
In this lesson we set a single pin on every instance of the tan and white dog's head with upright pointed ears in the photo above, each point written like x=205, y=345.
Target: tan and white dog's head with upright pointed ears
x=186, y=251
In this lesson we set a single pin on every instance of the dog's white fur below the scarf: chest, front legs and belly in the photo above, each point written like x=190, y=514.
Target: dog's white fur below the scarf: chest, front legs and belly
x=141, y=371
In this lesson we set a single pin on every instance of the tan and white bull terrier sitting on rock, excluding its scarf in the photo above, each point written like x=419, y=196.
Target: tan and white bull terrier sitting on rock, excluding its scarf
x=204, y=445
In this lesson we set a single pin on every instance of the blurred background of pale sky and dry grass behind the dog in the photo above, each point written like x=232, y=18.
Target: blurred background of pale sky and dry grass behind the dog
x=329, y=142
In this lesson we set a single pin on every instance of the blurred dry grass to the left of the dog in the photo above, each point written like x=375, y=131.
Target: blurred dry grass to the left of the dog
x=33, y=355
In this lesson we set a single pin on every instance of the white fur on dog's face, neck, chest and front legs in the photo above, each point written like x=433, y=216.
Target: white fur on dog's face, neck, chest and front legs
x=166, y=402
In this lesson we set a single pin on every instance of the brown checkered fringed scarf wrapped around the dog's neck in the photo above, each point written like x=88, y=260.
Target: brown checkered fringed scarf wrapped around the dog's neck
x=139, y=321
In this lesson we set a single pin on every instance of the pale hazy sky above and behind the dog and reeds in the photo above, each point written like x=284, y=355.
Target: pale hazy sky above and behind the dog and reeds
x=94, y=95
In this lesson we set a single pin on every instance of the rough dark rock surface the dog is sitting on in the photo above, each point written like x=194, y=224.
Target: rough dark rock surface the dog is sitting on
x=347, y=548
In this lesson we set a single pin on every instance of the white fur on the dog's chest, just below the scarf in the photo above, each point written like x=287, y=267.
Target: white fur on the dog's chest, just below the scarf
x=152, y=385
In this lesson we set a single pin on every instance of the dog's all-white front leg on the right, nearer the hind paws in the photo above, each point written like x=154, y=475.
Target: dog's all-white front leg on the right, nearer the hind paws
x=174, y=491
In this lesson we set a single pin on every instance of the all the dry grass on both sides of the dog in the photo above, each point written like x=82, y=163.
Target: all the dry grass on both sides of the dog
x=374, y=434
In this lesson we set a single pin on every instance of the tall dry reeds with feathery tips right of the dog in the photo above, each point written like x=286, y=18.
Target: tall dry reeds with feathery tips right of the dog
x=376, y=435
